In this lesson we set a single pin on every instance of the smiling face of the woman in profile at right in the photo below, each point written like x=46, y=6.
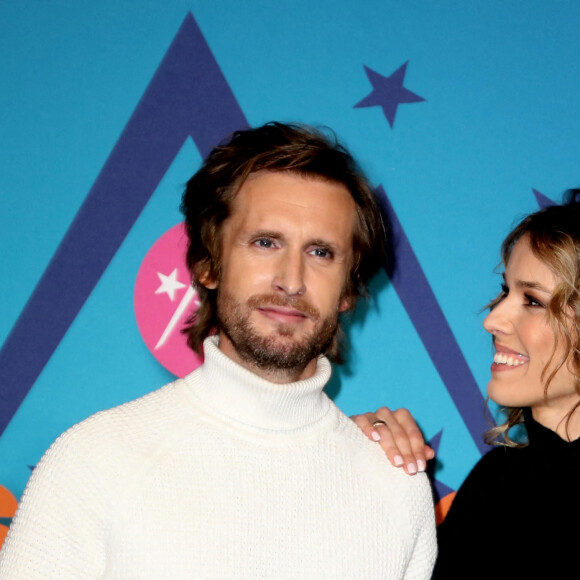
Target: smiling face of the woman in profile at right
x=524, y=342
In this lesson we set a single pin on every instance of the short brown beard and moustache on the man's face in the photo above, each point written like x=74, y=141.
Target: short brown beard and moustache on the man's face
x=277, y=351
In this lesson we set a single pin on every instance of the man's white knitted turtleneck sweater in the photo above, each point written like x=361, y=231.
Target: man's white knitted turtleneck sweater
x=221, y=475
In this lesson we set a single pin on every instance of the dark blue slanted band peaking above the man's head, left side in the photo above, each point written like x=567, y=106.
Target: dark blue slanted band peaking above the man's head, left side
x=188, y=96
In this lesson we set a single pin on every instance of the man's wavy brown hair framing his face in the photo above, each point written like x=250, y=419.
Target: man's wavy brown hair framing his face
x=207, y=204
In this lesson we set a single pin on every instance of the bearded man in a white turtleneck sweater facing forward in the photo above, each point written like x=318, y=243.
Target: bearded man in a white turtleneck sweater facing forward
x=244, y=469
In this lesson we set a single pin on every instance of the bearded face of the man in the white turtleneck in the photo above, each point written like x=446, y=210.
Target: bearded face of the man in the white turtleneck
x=286, y=257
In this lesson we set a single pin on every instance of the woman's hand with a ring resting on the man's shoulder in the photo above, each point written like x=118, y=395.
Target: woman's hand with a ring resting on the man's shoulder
x=399, y=436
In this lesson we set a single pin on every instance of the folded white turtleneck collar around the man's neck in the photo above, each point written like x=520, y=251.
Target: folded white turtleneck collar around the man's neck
x=241, y=396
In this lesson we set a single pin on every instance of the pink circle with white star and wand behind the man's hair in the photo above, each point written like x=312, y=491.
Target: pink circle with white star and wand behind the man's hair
x=164, y=300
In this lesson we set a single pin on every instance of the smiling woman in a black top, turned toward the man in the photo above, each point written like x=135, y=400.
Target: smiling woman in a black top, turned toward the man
x=516, y=514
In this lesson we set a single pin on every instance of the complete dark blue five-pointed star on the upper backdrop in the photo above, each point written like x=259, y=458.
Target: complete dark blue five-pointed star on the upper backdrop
x=388, y=92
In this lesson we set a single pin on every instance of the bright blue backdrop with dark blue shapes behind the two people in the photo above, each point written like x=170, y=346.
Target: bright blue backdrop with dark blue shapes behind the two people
x=461, y=113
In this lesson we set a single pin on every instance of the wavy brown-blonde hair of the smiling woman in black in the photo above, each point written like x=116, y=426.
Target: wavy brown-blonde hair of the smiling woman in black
x=554, y=237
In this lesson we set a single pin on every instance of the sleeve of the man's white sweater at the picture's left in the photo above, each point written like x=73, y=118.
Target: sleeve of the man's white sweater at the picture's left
x=58, y=531
